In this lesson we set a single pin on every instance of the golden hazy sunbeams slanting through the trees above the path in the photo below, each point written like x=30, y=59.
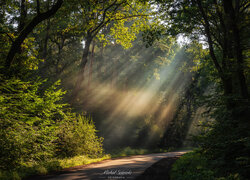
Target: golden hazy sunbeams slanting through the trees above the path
x=122, y=105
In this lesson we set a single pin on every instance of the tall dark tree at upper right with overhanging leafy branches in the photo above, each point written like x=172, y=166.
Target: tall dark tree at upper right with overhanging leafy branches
x=223, y=26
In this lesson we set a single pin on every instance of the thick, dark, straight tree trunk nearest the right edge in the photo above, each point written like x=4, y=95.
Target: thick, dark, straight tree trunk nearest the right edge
x=240, y=87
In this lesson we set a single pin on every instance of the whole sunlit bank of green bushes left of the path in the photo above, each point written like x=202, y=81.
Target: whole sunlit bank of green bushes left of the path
x=35, y=126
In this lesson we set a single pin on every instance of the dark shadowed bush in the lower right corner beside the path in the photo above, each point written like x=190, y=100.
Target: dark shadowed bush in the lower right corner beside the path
x=226, y=138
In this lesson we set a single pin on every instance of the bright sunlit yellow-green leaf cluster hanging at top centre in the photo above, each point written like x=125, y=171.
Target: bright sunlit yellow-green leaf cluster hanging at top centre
x=125, y=23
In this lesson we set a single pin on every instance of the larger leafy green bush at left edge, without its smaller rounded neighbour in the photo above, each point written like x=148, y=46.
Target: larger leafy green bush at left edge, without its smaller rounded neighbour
x=28, y=122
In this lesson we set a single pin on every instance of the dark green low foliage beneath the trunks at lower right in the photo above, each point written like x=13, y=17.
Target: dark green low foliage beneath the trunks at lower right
x=227, y=141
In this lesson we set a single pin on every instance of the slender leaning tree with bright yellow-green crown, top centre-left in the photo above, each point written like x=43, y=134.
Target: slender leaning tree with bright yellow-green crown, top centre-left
x=98, y=14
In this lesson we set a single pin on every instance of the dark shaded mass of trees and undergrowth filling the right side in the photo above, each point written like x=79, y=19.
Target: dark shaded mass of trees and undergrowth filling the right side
x=220, y=24
